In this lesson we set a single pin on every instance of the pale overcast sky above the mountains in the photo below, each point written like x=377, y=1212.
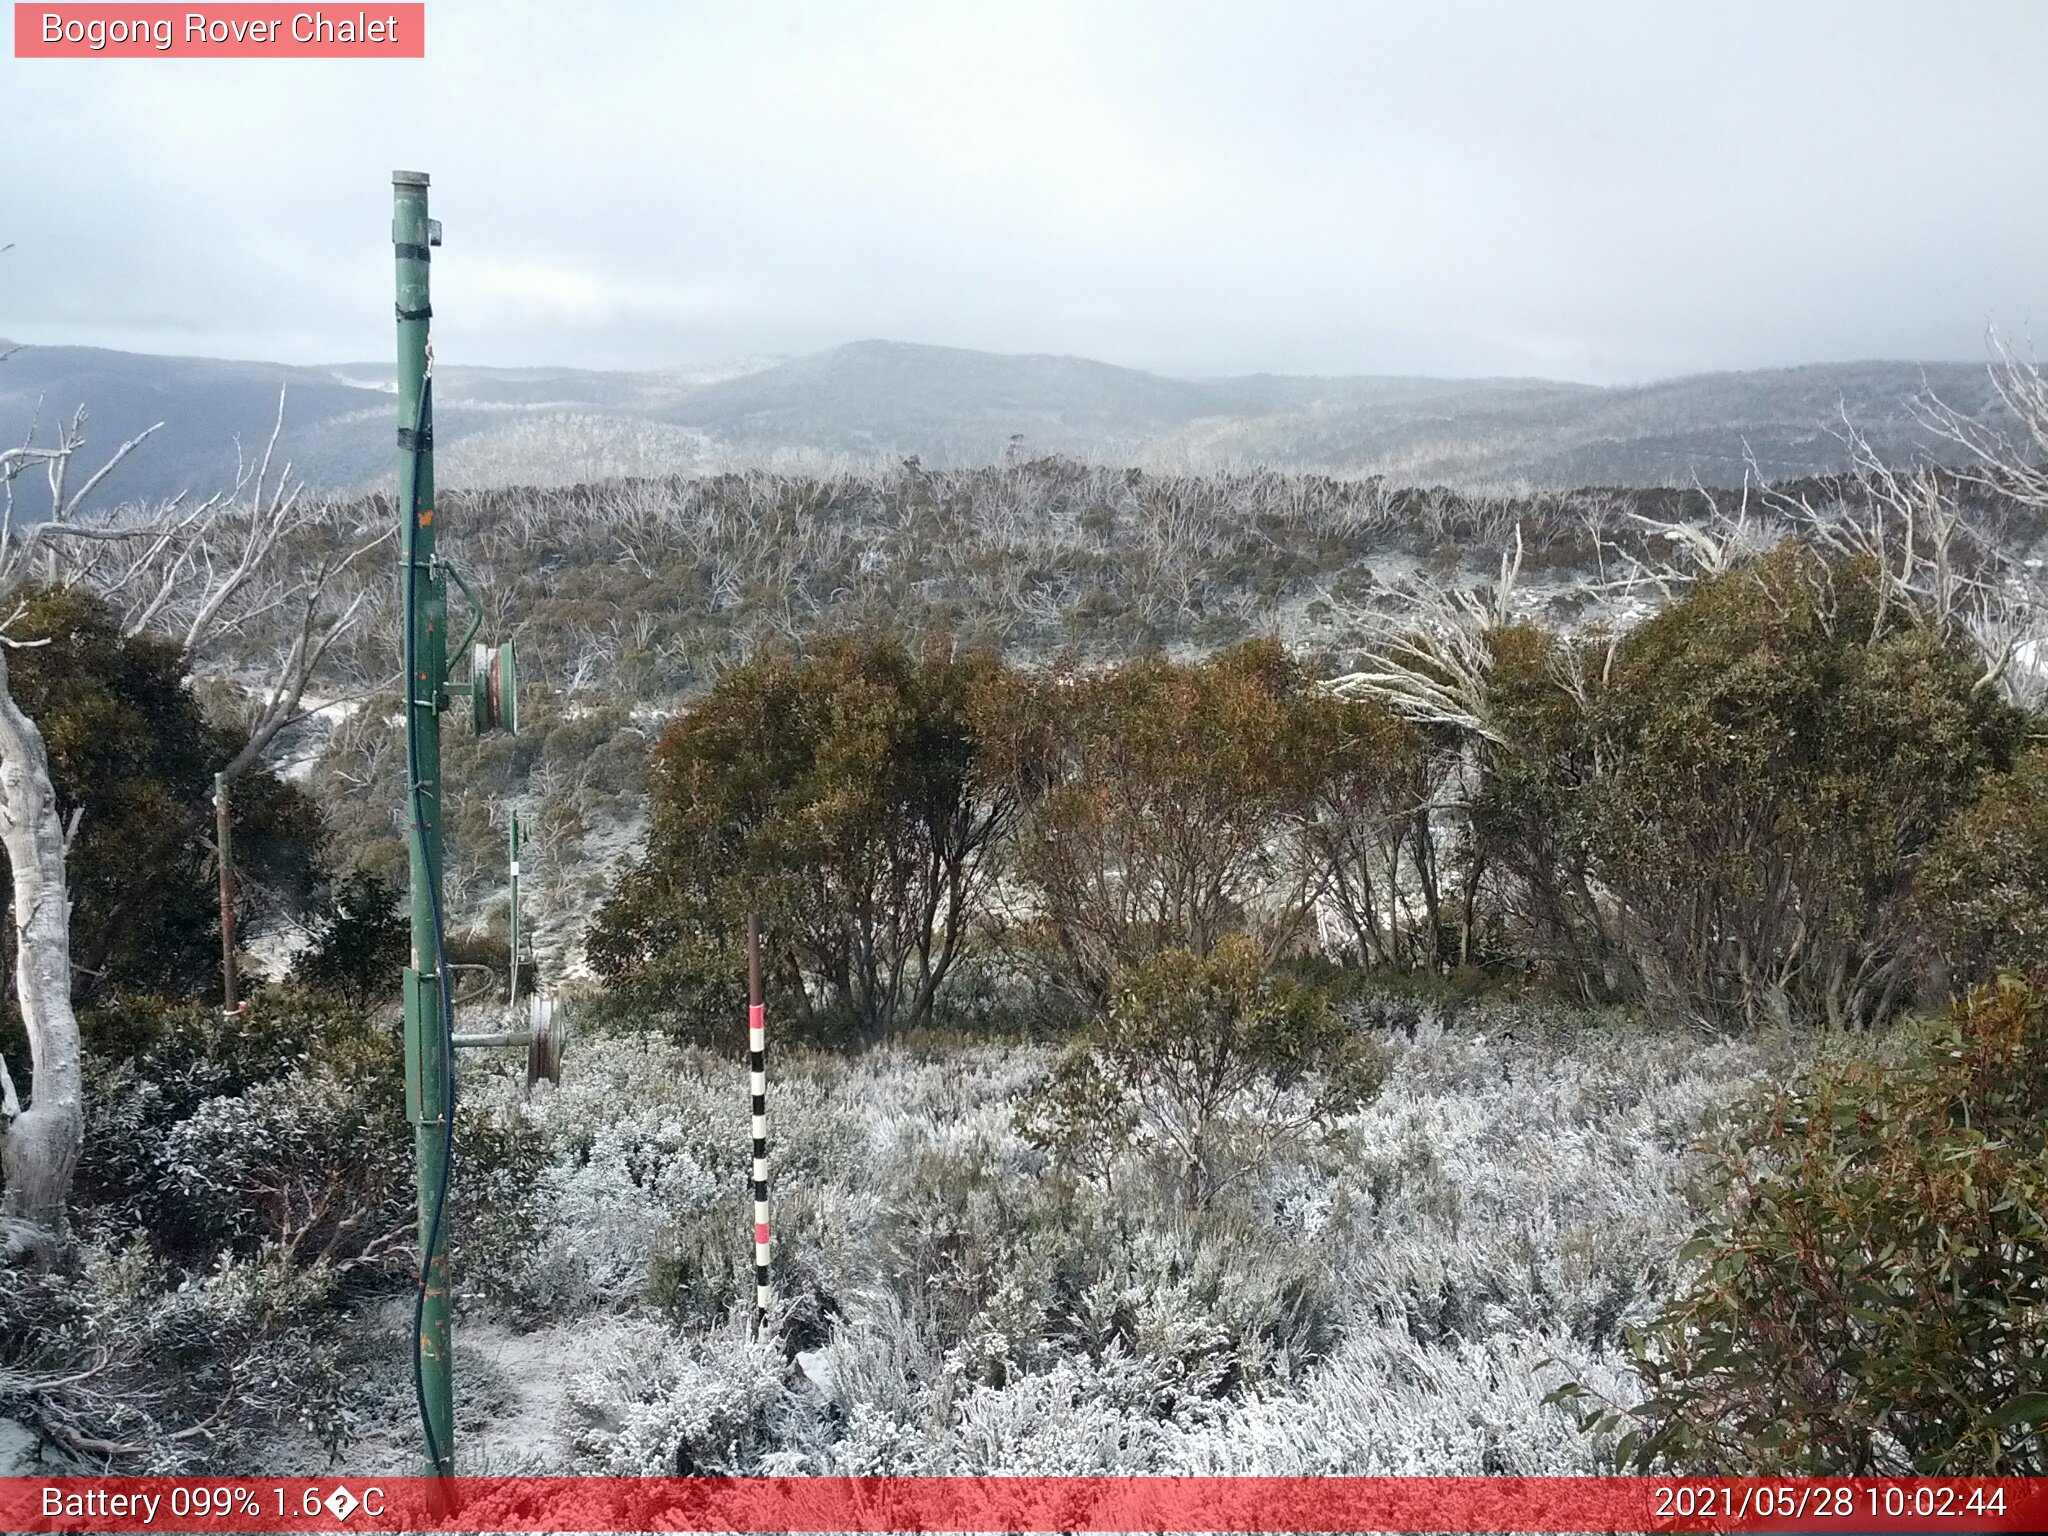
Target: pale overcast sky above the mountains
x=1582, y=191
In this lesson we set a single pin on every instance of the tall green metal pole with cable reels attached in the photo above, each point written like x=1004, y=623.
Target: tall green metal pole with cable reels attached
x=427, y=607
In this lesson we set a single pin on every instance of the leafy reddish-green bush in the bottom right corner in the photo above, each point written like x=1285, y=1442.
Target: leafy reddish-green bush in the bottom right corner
x=1873, y=1304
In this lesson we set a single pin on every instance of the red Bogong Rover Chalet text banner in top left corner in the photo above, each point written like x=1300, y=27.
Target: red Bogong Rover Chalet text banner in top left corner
x=220, y=32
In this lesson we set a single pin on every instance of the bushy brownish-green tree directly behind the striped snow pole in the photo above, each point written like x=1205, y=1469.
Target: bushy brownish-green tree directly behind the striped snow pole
x=843, y=798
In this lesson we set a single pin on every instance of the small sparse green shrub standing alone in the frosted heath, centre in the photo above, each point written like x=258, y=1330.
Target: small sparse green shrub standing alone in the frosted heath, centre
x=1205, y=1056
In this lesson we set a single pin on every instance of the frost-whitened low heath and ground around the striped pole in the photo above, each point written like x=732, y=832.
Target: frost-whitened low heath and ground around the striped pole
x=1377, y=1302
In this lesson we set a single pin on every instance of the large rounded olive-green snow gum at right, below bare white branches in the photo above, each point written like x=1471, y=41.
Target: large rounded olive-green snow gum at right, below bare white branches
x=1779, y=755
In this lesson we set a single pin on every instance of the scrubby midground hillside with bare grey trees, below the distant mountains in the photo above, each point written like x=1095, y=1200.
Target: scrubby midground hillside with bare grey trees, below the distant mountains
x=630, y=601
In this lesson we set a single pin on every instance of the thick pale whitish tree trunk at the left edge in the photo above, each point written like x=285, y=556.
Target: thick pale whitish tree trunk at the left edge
x=44, y=1142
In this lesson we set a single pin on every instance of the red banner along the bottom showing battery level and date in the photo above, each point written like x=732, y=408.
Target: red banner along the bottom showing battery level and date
x=1023, y=1504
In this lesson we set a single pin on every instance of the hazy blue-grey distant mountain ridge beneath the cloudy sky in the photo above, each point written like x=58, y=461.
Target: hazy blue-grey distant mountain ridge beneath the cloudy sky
x=953, y=407
